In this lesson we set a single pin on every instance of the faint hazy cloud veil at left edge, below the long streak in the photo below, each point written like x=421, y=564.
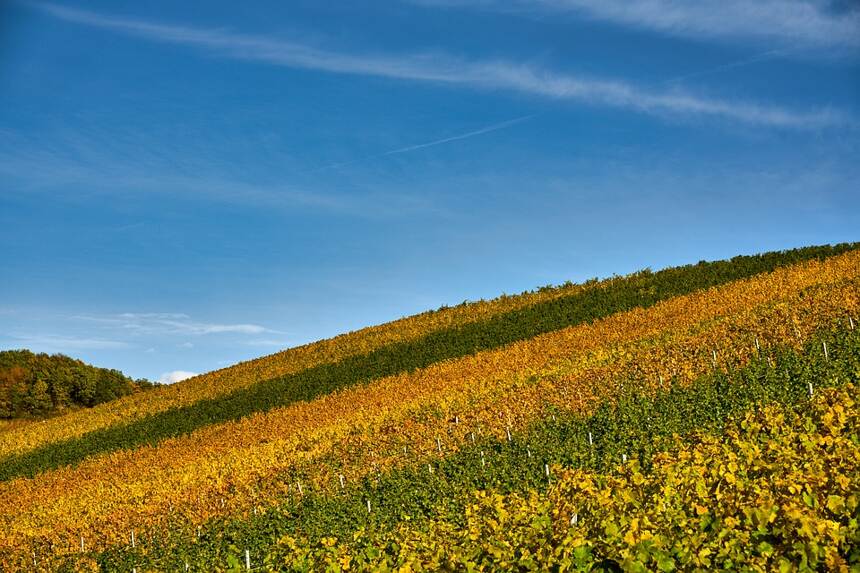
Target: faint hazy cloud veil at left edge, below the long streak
x=114, y=169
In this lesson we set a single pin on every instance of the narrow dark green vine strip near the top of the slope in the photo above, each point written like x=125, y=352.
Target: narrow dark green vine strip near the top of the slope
x=641, y=290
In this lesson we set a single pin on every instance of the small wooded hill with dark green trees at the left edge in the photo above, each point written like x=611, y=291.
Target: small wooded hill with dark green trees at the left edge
x=37, y=385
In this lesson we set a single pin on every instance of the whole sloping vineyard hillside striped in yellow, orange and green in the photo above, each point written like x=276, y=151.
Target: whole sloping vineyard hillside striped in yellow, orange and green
x=698, y=417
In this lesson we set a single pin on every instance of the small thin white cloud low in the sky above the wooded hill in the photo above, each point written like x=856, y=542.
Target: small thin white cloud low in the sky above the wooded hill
x=170, y=323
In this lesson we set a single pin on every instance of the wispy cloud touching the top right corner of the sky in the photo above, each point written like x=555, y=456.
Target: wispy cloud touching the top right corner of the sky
x=812, y=23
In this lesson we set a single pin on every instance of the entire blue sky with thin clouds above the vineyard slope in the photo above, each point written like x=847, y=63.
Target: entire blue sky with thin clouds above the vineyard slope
x=186, y=185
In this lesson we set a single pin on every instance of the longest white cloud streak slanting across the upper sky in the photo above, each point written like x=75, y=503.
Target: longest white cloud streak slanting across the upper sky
x=442, y=69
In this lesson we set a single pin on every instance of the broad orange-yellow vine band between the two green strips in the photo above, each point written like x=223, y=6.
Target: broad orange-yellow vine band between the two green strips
x=230, y=468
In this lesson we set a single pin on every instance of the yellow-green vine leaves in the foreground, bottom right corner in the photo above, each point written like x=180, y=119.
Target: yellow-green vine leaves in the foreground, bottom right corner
x=776, y=492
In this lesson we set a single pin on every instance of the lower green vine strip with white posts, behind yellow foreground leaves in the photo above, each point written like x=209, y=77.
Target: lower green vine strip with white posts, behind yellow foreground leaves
x=640, y=424
